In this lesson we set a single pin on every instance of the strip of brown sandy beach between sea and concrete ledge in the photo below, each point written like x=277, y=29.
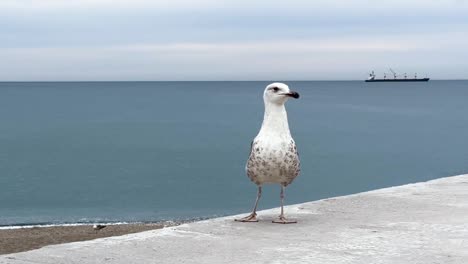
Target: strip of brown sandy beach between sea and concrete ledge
x=24, y=239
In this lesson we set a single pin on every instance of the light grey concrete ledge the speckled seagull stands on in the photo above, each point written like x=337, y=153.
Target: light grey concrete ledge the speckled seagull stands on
x=416, y=223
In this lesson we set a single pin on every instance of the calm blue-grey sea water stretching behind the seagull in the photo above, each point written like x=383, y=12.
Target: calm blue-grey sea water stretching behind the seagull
x=149, y=151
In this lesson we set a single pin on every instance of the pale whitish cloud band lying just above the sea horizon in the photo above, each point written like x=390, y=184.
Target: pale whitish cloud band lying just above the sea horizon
x=333, y=58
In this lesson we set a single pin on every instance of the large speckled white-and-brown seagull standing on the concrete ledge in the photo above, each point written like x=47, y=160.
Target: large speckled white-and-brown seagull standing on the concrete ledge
x=273, y=154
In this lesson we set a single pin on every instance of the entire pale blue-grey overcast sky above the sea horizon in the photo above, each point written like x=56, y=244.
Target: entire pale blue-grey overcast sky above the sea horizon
x=182, y=40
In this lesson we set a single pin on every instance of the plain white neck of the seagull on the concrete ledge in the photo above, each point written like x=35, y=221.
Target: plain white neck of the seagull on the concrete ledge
x=275, y=121
